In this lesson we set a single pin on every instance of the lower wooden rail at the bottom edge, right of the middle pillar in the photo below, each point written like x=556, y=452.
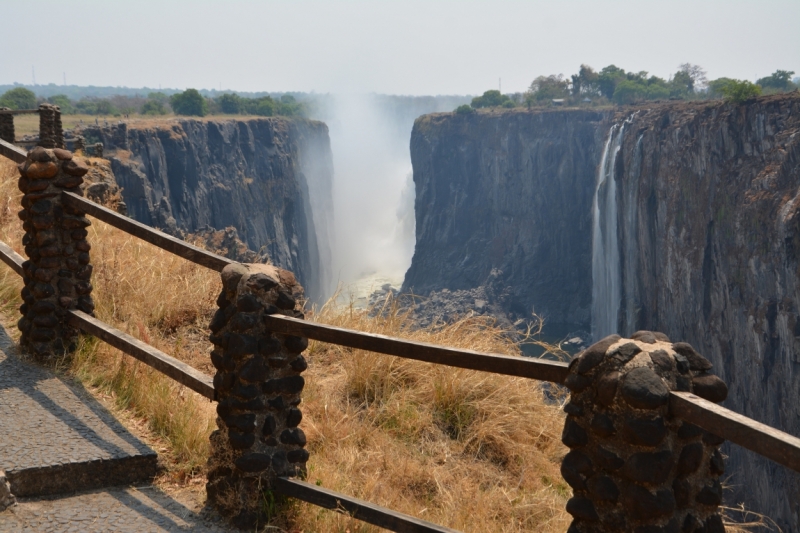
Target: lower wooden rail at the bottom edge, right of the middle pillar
x=359, y=509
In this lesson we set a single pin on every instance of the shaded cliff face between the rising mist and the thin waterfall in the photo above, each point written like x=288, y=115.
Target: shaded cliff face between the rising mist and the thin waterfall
x=507, y=197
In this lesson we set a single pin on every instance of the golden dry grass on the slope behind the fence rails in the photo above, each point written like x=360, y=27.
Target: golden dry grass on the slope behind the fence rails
x=473, y=451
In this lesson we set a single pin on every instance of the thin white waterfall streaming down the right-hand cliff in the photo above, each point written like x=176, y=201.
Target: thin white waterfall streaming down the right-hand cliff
x=606, y=274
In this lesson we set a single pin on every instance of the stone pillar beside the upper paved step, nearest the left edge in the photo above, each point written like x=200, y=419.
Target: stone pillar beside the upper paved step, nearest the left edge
x=57, y=274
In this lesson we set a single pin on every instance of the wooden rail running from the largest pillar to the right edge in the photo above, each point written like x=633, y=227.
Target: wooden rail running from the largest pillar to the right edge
x=764, y=440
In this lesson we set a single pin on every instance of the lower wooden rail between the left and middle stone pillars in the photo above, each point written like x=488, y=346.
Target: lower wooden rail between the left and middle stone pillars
x=169, y=366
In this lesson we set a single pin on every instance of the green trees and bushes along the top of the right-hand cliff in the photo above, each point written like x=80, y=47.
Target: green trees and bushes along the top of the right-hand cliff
x=613, y=85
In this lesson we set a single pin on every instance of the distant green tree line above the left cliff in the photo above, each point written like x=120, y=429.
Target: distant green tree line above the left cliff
x=188, y=103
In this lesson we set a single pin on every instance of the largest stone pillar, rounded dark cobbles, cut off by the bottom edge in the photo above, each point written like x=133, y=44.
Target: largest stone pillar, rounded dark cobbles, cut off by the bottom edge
x=632, y=466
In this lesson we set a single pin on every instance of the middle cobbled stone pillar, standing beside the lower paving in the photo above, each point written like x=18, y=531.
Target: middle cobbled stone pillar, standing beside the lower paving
x=258, y=386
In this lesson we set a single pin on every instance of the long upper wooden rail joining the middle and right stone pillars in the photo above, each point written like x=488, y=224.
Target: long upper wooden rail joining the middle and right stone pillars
x=526, y=367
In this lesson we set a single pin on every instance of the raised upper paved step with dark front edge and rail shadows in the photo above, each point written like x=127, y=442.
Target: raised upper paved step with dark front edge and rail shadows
x=55, y=437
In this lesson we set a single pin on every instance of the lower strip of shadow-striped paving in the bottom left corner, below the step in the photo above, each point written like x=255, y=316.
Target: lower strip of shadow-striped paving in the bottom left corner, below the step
x=131, y=509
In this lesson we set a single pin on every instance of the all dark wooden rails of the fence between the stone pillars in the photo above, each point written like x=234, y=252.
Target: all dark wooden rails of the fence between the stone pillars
x=762, y=439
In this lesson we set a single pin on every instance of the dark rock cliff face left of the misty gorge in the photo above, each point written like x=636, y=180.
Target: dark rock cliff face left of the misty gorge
x=268, y=178
